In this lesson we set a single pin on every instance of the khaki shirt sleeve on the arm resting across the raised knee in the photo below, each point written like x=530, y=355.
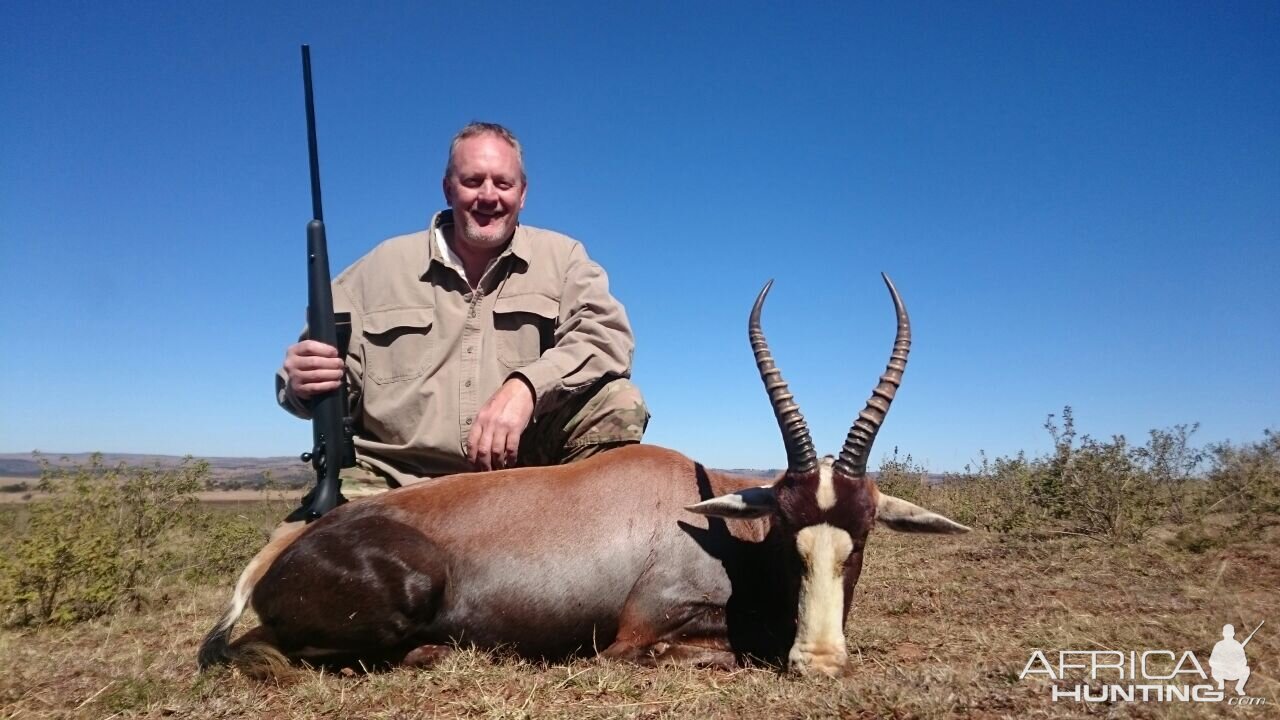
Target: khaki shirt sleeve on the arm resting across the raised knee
x=593, y=338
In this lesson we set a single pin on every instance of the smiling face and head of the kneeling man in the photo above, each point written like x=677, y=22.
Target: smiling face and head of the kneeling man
x=487, y=192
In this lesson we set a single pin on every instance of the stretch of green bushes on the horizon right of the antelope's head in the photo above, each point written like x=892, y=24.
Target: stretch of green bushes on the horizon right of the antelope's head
x=1108, y=490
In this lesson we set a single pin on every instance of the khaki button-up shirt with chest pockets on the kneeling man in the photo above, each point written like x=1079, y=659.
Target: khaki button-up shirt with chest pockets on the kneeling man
x=428, y=350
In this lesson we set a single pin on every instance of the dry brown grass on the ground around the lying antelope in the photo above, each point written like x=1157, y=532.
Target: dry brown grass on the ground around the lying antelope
x=941, y=628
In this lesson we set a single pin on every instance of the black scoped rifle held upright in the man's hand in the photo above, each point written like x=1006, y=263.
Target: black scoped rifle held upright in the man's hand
x=331, y=427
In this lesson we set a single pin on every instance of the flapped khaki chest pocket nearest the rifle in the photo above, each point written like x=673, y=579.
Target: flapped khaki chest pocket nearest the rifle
x=399, y=344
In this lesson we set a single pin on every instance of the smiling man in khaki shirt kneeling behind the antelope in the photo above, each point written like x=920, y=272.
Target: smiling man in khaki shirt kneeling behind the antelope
x=477, y=344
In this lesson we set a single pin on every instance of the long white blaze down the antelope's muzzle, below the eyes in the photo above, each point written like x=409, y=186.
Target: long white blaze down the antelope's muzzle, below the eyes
x=820, y=645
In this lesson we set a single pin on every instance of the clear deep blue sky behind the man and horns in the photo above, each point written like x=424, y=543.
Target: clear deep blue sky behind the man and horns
x=1080, y=203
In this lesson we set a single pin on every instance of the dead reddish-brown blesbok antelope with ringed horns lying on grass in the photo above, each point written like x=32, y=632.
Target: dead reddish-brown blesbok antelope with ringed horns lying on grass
x=639, y=552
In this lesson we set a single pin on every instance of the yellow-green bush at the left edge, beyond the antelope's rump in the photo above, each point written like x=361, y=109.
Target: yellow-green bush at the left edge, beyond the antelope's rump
x=97, y=541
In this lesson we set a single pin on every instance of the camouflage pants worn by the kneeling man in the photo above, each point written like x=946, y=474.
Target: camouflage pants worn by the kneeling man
x=607, y=416
